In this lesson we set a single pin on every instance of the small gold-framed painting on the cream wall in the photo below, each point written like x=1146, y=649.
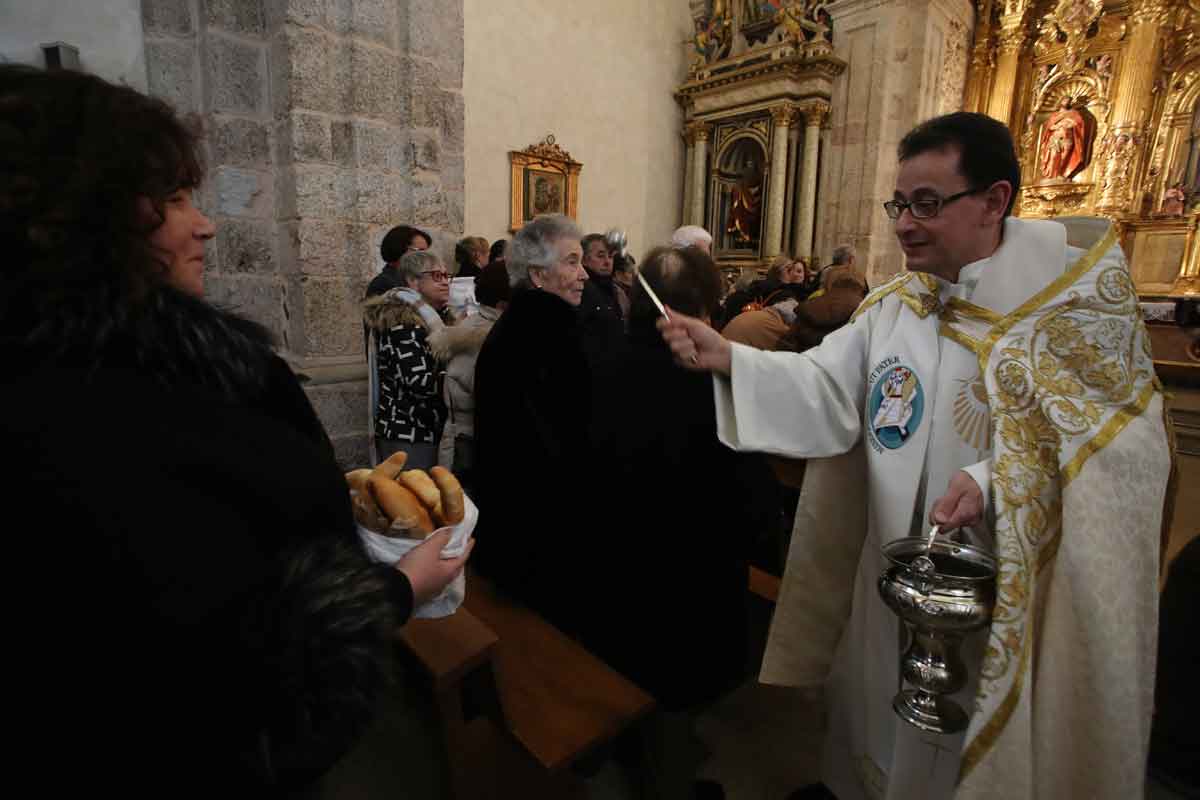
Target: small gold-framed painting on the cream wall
x=545, y=181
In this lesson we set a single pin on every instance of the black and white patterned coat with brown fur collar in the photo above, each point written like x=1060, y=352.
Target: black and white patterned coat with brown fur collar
x=410, y=380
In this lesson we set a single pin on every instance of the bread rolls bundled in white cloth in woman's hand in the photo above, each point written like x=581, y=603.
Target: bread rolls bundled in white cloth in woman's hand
x=397, y=509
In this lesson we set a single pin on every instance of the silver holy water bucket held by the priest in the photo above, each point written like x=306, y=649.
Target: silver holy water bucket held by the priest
x=941, y=600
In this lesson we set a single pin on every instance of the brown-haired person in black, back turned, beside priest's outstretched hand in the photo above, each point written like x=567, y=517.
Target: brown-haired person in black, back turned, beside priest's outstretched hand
x=689, y=506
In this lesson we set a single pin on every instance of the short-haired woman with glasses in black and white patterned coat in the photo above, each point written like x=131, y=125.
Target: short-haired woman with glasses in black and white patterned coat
x=407, y=380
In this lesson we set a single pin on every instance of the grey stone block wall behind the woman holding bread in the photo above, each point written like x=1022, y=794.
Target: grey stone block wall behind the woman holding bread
x=326, y=124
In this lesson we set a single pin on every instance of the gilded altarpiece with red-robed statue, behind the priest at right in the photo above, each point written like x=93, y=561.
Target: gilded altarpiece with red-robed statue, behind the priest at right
x=1103, y=99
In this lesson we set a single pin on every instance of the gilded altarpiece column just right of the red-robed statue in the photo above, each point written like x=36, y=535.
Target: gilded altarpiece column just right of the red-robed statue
x=1120, y=151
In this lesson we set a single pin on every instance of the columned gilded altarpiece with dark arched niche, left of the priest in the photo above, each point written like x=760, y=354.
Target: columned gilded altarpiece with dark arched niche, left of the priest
x=755, y=104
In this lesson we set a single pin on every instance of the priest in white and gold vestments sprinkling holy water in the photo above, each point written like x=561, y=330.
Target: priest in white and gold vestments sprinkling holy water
x=1001, y=387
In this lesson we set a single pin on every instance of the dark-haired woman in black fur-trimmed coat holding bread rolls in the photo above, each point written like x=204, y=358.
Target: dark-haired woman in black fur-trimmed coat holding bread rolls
x=194, y=612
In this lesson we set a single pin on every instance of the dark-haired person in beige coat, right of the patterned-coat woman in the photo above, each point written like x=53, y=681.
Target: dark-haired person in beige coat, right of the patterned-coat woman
x=458, y=348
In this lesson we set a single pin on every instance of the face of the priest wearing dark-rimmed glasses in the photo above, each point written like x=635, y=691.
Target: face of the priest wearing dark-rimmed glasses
x=964, y=230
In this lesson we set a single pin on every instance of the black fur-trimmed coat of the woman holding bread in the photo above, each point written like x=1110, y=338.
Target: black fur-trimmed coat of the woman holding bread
x=190, y=612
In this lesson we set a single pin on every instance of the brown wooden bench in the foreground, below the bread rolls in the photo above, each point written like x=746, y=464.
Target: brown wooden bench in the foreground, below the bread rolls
x=499, y=670
